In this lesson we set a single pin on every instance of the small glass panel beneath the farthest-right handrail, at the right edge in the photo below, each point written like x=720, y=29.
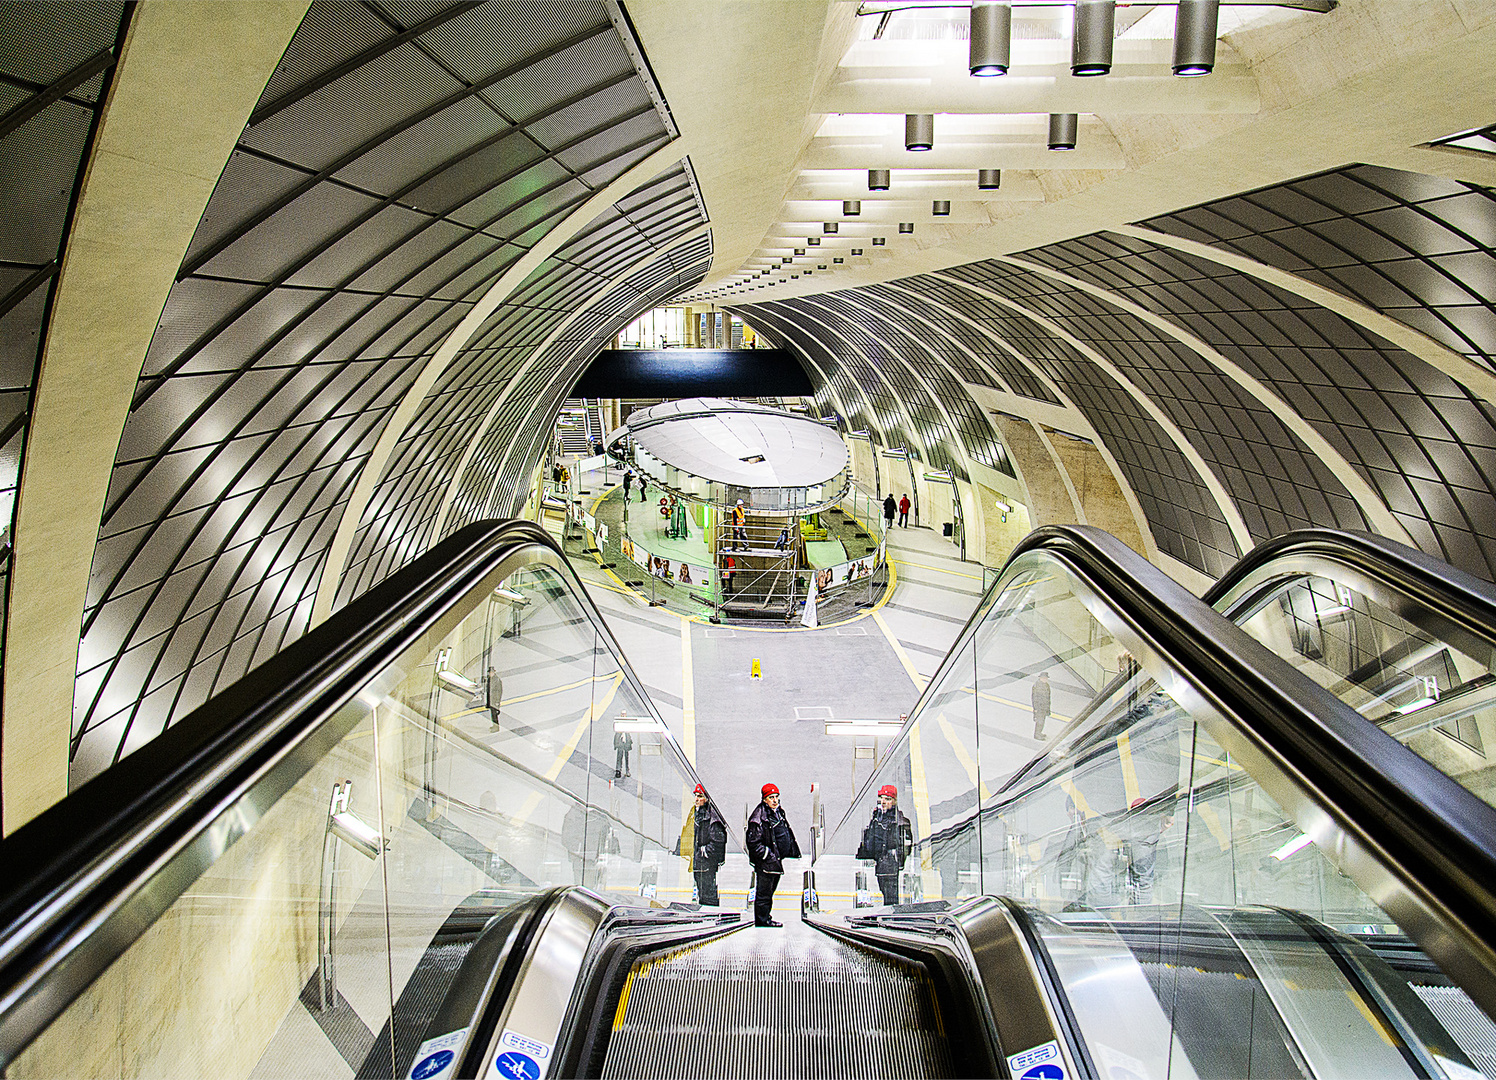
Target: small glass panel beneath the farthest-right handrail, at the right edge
x=1431, y=695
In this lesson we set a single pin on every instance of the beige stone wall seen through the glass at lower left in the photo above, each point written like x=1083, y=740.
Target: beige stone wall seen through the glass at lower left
x=203, y=992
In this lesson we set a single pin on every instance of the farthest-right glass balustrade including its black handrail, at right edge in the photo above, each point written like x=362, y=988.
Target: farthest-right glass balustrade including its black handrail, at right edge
x=1404, y=639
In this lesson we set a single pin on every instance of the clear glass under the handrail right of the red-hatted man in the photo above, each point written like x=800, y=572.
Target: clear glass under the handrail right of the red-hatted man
x=1190, y=924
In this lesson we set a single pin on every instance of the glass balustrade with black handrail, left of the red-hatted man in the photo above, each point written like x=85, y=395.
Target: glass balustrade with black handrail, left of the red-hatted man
x=282, y=883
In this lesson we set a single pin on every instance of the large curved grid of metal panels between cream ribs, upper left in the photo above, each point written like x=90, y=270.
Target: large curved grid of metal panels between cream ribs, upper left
x=402, y=158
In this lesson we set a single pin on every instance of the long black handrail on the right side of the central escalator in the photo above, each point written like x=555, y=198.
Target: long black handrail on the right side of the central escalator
x=1417, y=841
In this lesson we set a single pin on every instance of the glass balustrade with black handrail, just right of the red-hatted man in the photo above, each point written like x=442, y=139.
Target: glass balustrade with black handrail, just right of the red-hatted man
x=1199, y=838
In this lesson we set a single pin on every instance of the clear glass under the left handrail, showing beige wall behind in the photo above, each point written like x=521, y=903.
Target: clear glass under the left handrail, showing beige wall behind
x=470, y=776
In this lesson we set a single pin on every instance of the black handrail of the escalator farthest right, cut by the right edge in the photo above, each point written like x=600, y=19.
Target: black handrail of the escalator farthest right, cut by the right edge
x=1425, y=581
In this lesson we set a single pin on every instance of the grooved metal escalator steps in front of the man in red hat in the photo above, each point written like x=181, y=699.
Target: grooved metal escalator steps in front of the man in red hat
x=795, y=1004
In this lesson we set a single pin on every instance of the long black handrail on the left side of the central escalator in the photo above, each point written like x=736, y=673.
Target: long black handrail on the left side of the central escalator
x=80, y=864
